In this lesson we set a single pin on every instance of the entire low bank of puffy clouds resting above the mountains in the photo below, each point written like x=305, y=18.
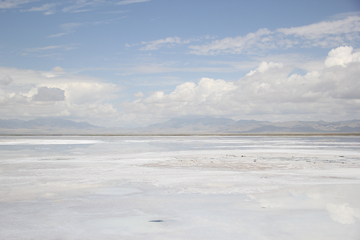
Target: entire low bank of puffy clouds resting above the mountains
x=269, y=92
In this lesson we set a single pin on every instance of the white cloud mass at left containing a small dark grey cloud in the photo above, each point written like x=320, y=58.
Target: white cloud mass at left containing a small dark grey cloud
x=39, y=94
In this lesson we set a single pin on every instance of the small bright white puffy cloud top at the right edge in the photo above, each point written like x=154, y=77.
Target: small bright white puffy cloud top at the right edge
x=341, y=56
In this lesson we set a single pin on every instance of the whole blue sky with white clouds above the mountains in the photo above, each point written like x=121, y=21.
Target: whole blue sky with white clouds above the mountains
x=129, y=63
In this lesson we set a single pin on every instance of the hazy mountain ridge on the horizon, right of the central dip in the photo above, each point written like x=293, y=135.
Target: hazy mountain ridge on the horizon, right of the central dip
x=224, y=125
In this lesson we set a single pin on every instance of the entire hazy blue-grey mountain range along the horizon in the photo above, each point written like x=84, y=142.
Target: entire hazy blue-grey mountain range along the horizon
x=203, y=125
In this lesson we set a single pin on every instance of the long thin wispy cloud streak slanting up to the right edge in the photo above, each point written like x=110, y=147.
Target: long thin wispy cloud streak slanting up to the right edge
x=325, y=34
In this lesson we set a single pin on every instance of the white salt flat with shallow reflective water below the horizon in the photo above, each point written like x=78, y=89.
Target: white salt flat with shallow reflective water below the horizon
x=180, y=188
